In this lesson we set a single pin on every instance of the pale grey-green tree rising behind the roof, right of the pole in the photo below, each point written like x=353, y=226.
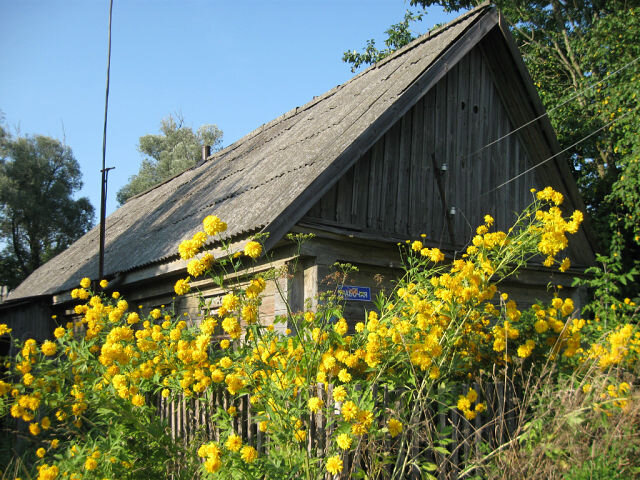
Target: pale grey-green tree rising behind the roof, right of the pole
x=175, y=150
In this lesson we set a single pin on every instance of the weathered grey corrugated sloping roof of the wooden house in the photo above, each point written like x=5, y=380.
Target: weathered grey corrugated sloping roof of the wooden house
x=266, y=180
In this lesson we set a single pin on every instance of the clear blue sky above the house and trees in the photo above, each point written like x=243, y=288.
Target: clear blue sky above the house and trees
x=233, y=64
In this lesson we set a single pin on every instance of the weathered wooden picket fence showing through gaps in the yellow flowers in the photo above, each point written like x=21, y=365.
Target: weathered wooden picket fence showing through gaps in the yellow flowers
x=191, y=420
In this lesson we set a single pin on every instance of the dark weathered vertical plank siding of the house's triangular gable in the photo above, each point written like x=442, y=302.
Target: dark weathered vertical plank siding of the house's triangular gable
x=392, y=188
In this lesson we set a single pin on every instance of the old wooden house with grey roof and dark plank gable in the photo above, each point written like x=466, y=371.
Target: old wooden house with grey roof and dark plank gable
x=427, y=141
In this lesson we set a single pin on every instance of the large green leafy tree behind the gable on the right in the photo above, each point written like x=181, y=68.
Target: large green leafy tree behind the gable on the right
x=584, y=58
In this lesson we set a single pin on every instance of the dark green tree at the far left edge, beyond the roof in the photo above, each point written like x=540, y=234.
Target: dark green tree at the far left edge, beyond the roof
x=38, y=216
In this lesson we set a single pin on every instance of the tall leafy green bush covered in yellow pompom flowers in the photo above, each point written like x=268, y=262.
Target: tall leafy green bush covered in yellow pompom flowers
x=88, y=399
